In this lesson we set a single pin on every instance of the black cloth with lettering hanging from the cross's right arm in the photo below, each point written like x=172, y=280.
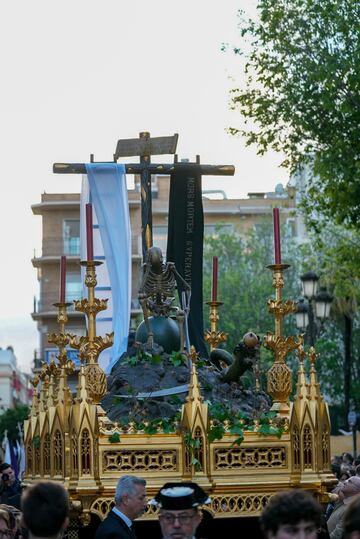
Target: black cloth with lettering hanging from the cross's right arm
x=185, y=244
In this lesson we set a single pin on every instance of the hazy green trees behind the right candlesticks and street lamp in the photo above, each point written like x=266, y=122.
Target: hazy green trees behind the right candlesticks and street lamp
x=245, y=286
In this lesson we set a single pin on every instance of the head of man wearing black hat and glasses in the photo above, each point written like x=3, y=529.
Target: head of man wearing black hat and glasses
x=179, y=514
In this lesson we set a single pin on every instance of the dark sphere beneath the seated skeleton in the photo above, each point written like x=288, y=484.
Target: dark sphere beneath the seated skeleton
x=166, y=333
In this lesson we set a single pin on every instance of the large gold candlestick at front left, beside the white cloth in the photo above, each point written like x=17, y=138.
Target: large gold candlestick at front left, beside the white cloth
x=92, y=345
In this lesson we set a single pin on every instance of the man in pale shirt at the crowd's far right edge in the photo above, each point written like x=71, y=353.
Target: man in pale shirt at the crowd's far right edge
x=347, y=493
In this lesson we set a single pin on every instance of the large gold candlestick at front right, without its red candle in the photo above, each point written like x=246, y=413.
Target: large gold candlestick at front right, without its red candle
x=279, y=375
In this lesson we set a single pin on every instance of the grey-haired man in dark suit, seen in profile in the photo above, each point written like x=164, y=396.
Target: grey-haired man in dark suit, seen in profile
x=130, y=503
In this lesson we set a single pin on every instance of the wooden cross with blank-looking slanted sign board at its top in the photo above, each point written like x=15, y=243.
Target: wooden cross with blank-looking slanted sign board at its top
x=144, y=147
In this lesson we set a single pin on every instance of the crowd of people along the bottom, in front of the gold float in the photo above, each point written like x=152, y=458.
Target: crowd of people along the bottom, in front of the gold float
x=42, y=510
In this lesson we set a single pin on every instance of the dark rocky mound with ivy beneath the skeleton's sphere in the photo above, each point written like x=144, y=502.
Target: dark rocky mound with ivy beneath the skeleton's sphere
x=141, y=372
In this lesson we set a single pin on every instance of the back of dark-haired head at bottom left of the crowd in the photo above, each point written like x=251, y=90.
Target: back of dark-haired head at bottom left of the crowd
x=45, y=509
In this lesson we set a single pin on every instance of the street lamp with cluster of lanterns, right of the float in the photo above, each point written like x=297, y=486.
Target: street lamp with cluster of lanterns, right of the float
x=305, y=317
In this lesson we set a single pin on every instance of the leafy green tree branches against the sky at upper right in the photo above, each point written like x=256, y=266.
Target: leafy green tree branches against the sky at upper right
x=301, y=95
